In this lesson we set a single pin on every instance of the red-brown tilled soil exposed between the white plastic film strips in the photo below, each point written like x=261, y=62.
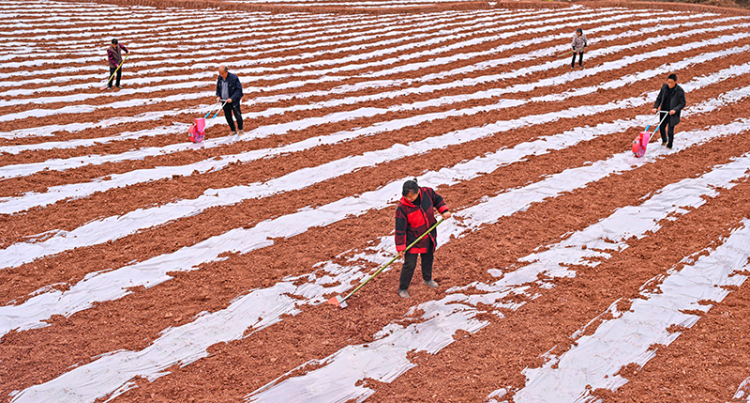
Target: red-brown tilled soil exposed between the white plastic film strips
x=706, y=363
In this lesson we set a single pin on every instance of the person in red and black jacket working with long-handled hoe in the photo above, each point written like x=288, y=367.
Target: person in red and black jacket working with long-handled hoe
x=414, y=216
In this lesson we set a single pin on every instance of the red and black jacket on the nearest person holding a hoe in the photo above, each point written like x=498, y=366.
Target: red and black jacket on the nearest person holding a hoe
x=413, y=220
